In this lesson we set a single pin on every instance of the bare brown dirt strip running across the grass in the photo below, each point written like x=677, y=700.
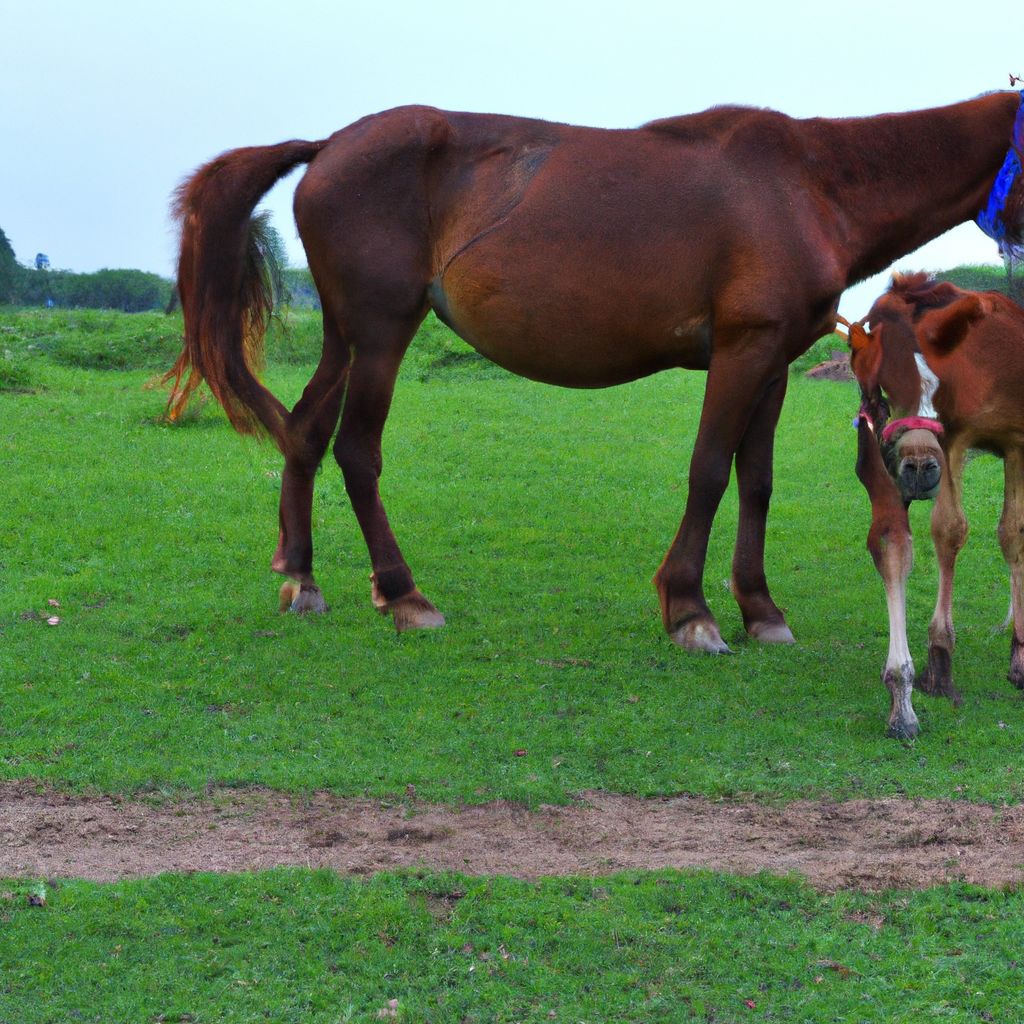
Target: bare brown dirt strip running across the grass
x=862, y=844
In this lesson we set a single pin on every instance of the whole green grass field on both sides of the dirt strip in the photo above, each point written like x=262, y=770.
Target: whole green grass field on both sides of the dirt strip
x=534, y=519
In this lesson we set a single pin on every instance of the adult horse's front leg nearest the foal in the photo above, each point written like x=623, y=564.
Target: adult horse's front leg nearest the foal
x=762, y=618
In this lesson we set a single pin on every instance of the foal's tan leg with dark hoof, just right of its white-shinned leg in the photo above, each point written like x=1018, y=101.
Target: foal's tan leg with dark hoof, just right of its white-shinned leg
x=950, y=532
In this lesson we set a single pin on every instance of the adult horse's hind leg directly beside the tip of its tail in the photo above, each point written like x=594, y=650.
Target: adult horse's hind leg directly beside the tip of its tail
x=309, y=433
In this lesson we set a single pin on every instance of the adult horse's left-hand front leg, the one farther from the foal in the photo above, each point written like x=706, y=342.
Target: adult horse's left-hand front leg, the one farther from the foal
x=745, y=369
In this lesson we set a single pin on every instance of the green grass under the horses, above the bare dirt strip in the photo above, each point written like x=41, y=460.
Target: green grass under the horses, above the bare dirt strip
x=535, y=519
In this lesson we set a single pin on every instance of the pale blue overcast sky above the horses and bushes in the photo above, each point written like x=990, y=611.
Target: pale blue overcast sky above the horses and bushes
x=106, y=107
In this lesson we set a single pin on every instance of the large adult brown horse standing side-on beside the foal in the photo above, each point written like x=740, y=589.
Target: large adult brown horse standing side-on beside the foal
x=578, y=257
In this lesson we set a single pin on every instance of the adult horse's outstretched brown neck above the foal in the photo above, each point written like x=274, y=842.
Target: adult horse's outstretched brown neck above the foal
x=900, y=181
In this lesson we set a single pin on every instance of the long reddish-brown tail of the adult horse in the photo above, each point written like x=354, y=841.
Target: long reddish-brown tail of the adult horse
x=226, y=284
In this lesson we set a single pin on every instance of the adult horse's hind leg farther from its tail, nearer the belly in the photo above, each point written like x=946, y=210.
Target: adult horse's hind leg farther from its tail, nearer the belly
x=379, y=346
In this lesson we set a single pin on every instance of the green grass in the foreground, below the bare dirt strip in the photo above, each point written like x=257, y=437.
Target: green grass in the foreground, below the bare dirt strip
x=312, y=948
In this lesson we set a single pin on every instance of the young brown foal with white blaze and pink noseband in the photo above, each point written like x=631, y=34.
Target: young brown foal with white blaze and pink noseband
x=974, y=344
